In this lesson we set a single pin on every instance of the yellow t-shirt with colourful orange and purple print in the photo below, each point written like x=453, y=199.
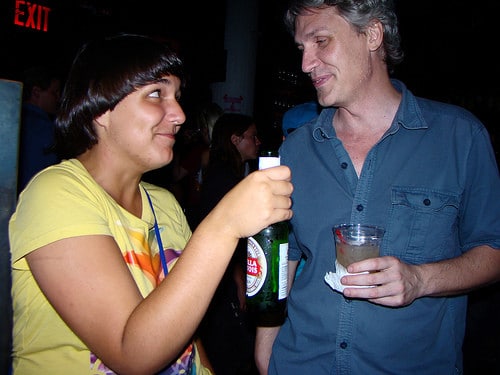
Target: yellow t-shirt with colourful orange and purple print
x=64, y=201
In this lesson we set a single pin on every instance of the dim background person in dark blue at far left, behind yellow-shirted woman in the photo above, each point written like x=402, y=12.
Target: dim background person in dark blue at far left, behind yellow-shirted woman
x=41, y=92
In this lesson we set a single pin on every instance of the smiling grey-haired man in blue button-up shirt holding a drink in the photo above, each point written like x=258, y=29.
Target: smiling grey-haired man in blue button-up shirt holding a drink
x=423, y=170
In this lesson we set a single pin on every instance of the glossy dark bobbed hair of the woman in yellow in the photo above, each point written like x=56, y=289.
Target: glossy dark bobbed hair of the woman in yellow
x=103, y=73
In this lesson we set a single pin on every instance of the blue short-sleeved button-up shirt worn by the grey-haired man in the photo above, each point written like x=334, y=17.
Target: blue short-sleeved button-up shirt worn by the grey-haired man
x=432, y=182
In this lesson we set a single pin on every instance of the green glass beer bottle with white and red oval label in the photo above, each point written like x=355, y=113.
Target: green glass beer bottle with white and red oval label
x=267, y=266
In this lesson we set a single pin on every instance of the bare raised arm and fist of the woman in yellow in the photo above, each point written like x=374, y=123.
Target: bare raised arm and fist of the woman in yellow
x=89, y=285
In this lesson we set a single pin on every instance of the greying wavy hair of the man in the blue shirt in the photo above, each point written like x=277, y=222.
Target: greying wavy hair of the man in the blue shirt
x=358, y=13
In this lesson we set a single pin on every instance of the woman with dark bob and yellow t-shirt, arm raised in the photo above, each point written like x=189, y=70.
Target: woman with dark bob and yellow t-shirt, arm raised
x=92, y=293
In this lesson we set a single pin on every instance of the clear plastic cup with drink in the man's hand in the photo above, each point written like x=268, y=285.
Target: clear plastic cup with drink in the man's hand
x=356, y=242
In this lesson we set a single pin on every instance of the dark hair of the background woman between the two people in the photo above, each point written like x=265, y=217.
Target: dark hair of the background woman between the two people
x=222, y=150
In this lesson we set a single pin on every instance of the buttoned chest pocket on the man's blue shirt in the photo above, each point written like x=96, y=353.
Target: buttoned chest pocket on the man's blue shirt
x=422, y=225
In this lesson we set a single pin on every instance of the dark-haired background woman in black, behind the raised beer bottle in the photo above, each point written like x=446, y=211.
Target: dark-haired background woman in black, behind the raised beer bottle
x=227, y=332
